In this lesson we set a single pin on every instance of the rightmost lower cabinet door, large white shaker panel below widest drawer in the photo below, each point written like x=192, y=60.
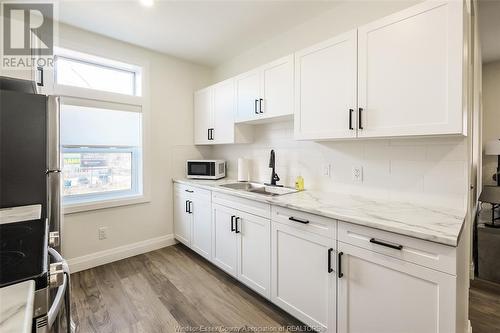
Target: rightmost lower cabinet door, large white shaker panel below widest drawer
x=381, y=294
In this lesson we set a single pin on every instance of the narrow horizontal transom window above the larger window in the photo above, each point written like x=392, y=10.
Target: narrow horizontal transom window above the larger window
x=80, y=70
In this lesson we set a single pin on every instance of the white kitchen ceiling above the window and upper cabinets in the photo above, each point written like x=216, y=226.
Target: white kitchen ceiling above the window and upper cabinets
x=205, y=32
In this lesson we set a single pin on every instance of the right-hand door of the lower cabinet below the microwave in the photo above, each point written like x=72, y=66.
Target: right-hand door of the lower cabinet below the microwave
x=201, y=207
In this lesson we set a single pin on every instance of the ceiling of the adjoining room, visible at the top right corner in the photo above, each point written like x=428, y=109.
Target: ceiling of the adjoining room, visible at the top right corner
x=489, y=29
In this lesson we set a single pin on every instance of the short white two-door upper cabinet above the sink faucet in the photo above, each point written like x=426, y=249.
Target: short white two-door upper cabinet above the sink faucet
x=265, y=93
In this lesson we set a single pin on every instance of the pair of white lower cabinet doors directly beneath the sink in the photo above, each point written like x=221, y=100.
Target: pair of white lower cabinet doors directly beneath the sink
x=241, y=244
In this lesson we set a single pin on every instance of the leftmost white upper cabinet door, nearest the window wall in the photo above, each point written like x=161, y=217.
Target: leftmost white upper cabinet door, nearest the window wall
x=203, y=108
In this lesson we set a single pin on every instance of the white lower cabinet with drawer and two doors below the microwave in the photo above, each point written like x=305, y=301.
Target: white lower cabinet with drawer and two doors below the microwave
x=193, y=218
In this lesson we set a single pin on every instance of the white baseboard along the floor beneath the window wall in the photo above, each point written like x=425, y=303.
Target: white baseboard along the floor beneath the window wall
x=103, y=257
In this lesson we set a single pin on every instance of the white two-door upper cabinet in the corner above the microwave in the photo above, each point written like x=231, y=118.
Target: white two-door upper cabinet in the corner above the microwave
x=214, y=109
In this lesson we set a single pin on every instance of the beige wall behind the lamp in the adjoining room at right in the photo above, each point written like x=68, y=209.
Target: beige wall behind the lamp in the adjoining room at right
x=491, y=116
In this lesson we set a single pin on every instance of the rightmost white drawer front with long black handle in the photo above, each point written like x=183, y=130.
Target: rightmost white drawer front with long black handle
x=428, y=254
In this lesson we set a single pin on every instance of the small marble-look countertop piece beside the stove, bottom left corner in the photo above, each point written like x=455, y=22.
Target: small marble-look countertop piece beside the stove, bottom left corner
x=16, y=307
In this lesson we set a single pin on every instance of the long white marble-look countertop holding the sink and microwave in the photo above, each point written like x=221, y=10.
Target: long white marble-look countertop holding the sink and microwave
x=439, y=225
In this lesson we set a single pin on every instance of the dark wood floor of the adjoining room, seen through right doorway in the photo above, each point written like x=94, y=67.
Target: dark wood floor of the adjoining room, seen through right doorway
x=484, y=306
